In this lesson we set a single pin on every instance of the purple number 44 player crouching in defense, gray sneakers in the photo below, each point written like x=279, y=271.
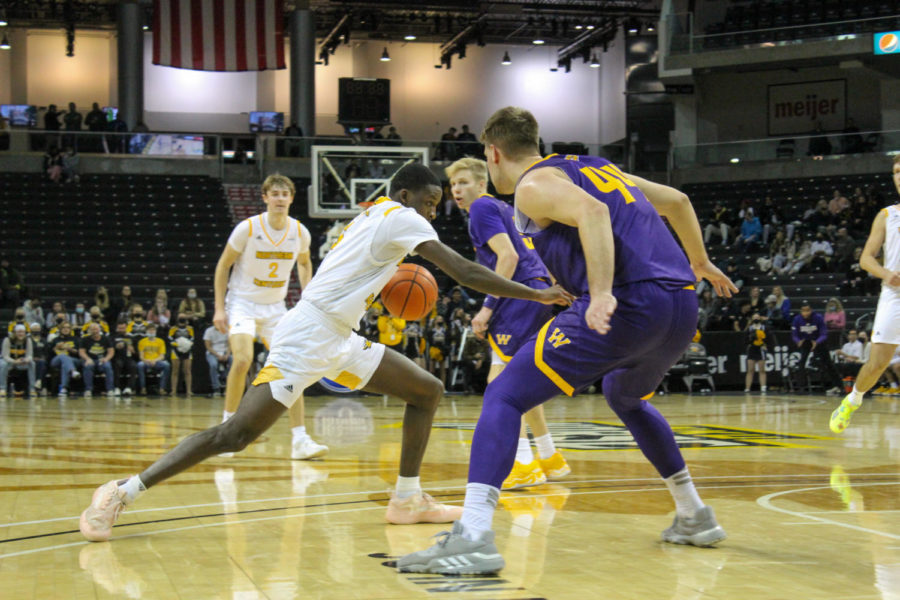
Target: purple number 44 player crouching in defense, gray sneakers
x=600, y=232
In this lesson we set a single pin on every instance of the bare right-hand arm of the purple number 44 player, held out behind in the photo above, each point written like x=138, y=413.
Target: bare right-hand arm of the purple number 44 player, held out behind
x=675, y=206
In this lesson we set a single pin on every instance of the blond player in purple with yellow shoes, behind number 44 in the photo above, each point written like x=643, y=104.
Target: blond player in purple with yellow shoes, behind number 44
x=507, y=323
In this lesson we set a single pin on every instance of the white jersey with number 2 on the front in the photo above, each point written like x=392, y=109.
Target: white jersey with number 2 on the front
x=262, y=272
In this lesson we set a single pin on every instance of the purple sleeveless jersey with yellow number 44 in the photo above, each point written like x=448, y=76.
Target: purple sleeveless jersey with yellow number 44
x=645, y=249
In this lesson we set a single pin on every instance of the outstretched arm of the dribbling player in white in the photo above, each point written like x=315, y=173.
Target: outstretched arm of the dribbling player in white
x=477, y=277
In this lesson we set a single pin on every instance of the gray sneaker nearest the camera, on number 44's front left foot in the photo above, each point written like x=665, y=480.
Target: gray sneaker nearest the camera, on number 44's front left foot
x=455, y=555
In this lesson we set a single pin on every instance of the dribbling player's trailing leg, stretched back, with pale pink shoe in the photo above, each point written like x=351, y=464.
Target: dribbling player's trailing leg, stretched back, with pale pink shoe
x=257, y=412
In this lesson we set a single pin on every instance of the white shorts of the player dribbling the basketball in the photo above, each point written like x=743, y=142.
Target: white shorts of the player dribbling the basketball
x=308, y=346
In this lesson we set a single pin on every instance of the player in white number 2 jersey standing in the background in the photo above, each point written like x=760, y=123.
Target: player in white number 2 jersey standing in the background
x=260, y=254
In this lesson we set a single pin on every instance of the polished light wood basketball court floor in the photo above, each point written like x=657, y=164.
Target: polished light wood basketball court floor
x=808, y=515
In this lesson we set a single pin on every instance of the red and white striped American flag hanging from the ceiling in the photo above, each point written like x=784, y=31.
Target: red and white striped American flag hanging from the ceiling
x=219, y=35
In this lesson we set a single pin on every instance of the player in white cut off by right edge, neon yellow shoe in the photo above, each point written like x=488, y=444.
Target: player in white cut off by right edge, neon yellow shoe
x=885, y=235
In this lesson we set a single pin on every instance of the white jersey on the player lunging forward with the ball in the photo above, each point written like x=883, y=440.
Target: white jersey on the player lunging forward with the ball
x=364, y=258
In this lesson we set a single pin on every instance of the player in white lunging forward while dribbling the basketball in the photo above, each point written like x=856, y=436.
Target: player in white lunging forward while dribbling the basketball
x=316, y=339
